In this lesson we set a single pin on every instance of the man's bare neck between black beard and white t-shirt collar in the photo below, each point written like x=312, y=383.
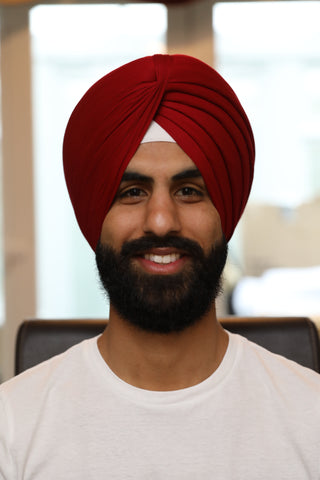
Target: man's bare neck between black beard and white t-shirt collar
x=163, y=362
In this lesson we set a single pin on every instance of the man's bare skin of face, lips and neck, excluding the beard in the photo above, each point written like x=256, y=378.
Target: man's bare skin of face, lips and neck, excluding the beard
x=162, y=193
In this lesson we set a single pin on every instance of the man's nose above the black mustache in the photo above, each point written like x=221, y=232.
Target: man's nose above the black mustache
x=162, y=215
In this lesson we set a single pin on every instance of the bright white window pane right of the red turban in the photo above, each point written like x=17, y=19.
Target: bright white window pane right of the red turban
x=274, y=65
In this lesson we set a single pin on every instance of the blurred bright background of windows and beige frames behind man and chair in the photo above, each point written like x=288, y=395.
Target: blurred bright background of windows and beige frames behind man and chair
x=51, y=53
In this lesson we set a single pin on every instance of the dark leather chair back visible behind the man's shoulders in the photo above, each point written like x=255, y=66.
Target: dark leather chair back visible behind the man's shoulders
x=293, y=337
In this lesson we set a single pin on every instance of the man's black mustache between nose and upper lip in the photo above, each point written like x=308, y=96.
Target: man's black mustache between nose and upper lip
x=140, y=245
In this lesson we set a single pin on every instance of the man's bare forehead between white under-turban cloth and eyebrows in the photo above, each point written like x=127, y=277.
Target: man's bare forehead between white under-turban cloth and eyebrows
x=164, y=158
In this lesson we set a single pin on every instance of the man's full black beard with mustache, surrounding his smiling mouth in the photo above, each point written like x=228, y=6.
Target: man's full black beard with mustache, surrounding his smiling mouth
x=161, y=303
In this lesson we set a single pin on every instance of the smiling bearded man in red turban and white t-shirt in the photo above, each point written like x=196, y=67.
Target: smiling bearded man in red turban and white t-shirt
x=158, y=159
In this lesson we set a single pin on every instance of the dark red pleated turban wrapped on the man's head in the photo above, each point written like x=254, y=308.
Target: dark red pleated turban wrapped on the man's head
x=186, y=97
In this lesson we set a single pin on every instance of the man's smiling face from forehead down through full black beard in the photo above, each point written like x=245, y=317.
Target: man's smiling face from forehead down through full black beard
x=161, y=250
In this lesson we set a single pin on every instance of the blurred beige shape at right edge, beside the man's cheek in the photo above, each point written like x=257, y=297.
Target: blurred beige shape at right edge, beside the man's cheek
x=277, y=237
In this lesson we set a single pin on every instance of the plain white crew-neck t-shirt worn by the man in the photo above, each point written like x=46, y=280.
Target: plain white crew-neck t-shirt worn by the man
x=256, y=417
